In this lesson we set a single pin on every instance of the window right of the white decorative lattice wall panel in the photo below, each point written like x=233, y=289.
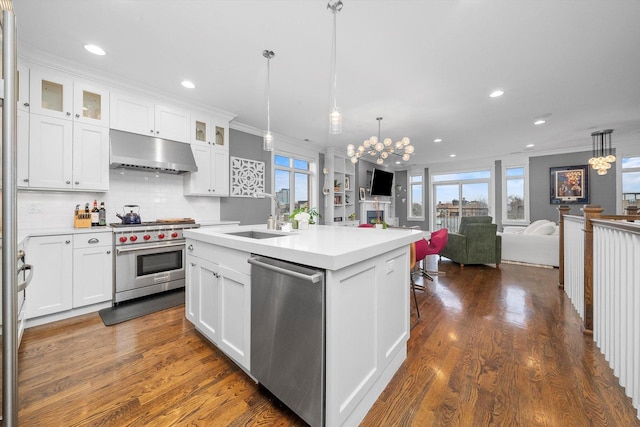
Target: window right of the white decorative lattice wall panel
x=292, y=182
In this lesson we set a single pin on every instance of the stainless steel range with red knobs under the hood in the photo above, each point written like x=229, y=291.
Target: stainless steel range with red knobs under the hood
x=148, y=258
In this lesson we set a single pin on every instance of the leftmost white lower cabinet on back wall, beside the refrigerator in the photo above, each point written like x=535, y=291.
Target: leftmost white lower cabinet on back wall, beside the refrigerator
x=51, y=289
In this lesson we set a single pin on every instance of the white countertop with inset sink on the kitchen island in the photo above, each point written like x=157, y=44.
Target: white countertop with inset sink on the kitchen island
x=328, y=247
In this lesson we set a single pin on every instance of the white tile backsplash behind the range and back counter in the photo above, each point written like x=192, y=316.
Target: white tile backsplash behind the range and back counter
x=159, y=196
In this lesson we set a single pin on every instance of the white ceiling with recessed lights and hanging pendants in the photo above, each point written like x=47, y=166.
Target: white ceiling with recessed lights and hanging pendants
x=427, y=67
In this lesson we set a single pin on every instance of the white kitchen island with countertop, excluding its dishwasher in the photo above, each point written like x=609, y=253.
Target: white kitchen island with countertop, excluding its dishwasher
x=366, y=310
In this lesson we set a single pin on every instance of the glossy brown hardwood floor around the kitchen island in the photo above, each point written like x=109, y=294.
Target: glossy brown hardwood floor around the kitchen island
x=493, y=347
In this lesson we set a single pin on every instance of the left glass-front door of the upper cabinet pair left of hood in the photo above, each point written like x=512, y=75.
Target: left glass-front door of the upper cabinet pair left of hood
x=51, y=93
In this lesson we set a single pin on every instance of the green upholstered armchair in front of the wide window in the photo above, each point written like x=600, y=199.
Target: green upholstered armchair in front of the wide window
x=476, y=242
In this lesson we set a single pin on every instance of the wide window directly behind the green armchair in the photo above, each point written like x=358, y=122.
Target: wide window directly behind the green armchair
x=460, y=194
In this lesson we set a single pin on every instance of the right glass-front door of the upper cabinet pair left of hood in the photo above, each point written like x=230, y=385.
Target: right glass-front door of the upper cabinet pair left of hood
x=91, y=104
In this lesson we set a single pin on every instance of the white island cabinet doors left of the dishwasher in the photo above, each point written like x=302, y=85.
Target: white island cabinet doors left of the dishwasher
x=218, y=303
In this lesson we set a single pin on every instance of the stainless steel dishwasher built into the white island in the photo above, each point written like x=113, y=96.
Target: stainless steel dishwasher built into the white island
x=288, y=334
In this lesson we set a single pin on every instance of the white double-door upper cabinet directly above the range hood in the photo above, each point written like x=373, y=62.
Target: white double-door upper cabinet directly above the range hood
x=132, y=113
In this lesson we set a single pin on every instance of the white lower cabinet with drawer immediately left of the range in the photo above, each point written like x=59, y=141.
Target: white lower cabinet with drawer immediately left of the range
x=92, y=268
